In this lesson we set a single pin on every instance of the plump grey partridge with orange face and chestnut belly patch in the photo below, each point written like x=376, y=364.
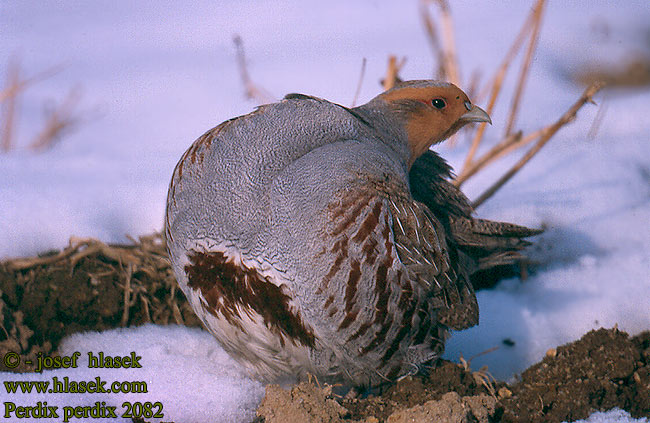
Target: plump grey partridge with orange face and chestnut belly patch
x=315, y=239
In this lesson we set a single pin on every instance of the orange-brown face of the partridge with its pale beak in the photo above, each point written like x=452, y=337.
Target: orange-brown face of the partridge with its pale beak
x=432, y=113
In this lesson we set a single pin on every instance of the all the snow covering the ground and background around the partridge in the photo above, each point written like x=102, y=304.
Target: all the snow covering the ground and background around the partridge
x=153, y=76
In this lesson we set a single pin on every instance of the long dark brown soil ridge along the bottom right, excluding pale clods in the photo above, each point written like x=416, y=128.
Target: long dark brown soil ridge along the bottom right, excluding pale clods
x=604, y=369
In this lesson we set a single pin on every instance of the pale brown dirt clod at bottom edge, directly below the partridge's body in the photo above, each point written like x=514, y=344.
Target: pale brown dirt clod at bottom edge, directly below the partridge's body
x=305, y=402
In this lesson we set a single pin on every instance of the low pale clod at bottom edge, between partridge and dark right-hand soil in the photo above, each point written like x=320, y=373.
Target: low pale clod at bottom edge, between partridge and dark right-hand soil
x=451, y=408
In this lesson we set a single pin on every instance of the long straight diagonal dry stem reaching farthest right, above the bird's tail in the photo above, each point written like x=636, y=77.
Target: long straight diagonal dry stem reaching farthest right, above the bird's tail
x=569, y=116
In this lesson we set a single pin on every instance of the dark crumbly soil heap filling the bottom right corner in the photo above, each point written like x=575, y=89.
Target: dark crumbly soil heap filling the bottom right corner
x=603, y=370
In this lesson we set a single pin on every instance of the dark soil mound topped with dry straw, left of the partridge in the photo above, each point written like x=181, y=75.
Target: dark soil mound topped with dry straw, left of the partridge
x=87, y=286
